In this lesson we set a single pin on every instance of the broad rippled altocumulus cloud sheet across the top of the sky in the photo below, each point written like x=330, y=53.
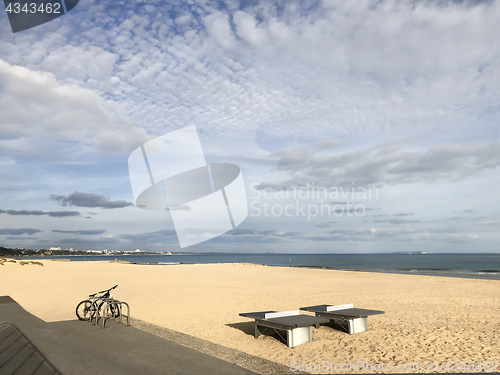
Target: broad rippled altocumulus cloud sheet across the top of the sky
x=385, y=68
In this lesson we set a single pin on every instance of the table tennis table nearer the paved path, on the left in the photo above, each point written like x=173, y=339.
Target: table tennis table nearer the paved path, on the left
x=298, y=327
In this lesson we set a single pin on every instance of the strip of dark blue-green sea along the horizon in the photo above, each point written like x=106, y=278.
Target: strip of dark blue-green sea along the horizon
x=477, y=266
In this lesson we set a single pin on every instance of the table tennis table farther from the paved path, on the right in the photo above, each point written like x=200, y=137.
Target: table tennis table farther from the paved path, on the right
x=350, y=319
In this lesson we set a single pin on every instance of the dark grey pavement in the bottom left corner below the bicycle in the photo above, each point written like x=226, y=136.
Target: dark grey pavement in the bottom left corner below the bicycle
x=76, y=347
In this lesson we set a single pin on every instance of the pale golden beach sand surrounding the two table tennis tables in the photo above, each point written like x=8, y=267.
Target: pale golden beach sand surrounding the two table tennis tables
x=427, y=319
